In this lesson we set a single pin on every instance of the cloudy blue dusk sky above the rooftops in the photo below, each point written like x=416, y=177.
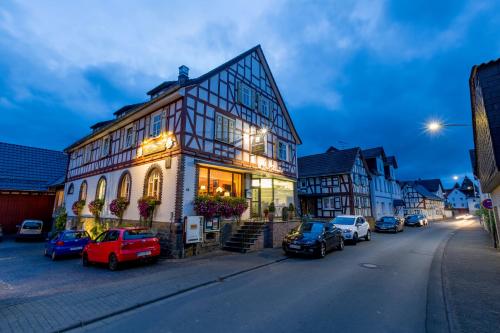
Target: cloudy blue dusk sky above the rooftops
x=353, y=73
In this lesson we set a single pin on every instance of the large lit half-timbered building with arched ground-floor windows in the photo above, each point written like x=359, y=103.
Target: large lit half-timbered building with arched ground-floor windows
x=225, y=133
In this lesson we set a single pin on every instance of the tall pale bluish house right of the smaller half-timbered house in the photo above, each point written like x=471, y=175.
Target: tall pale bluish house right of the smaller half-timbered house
x=385, y=192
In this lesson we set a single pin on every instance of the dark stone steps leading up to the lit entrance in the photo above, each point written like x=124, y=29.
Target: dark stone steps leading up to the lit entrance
x=245, y=237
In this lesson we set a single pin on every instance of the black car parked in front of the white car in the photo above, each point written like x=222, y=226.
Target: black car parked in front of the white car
x=313, y=238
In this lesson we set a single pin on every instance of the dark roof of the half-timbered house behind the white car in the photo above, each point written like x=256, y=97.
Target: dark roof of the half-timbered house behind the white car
x=329, y=163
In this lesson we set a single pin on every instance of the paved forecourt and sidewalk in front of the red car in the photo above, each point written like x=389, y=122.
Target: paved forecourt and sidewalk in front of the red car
x=59, y=311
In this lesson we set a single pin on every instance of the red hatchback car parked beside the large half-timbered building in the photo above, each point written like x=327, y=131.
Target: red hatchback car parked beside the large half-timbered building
x=118, y=245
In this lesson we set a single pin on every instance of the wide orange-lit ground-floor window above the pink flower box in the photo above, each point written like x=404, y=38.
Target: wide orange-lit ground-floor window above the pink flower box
x=219, y=182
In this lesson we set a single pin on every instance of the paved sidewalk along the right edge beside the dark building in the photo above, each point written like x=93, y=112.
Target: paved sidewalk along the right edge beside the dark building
x=471, y=278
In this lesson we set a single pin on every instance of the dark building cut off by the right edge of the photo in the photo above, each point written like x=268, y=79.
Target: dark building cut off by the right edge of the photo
x=484, y=85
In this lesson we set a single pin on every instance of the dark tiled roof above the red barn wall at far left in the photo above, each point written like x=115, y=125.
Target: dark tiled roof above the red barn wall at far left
x=25, y=168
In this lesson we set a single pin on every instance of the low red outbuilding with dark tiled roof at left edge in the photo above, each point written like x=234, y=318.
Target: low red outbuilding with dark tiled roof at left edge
x=31, y=184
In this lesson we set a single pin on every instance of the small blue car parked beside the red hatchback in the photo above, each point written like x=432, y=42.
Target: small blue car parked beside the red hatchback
x=66, y=243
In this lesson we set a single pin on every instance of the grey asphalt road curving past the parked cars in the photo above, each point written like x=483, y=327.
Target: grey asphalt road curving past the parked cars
x=340, y=292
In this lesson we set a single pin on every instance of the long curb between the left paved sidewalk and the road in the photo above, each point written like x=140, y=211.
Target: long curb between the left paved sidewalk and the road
x=167, y=296
